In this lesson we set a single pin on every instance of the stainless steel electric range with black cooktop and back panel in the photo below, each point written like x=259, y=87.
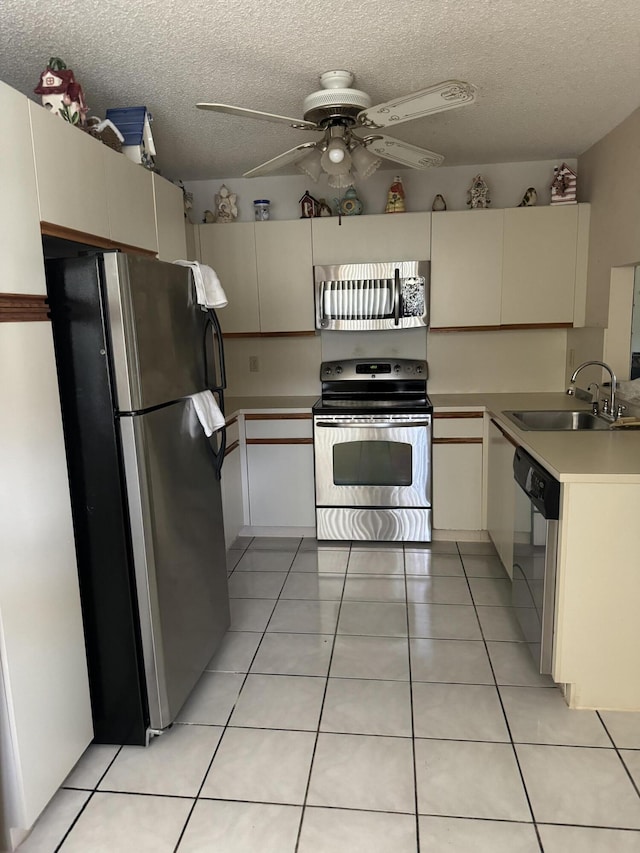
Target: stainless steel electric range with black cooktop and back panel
x=372, y=445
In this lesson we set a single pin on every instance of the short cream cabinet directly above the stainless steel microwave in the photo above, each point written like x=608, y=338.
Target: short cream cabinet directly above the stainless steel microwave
x=368, y=239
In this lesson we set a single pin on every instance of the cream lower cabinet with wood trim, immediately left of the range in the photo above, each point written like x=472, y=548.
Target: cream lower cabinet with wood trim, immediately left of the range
x=280, y=480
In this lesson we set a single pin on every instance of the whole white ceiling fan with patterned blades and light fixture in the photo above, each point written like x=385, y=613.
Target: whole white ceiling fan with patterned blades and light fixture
x=348, y=124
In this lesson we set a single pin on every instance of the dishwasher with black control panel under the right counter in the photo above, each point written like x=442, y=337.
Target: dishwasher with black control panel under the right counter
x=535, y=552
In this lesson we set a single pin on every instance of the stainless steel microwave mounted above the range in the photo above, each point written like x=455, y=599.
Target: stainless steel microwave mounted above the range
x=355, y=297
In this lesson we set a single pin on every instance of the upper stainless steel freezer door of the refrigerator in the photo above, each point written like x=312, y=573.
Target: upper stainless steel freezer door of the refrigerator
x=158, y=332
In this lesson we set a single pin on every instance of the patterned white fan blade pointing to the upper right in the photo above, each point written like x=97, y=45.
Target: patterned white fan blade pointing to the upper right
x=447, y=95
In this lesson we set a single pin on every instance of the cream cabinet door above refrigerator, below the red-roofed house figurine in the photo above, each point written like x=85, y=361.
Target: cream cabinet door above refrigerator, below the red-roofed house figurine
x=71, y=174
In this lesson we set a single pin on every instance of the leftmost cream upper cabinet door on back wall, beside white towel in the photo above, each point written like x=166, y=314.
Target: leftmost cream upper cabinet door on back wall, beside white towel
x=230, y=249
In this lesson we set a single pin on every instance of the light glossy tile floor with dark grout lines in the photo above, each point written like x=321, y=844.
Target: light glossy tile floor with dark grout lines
x=366, y=698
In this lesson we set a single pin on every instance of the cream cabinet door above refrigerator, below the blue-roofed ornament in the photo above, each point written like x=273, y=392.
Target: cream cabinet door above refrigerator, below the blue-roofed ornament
x=132, y=218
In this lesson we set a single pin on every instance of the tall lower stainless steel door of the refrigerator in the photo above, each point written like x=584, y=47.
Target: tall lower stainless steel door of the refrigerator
x=179, y=551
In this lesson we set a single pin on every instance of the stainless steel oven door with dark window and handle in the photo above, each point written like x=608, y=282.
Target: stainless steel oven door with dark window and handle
x=373, y=460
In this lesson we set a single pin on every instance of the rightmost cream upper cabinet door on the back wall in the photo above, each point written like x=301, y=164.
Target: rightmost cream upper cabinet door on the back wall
x=539, y=267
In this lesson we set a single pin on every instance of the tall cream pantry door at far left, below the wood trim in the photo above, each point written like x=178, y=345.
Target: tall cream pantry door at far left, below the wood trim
x=46, y=714
